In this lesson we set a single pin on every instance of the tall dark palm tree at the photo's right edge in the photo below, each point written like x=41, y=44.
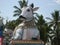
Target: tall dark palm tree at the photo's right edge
x=55, y=24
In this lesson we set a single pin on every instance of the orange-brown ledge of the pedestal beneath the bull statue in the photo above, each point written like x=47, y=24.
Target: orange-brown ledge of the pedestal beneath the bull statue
x=27, y=42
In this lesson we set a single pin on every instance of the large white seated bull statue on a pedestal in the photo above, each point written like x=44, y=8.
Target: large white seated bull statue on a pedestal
x=26, y=30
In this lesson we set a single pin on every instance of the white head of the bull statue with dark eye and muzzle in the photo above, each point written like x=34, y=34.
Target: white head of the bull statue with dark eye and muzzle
x=27, y=12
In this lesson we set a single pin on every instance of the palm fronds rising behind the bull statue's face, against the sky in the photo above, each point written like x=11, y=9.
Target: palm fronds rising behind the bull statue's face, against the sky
x=18, y=9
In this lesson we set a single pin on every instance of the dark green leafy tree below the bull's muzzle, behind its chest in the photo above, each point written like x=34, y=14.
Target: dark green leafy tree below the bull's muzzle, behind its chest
x=12, y=24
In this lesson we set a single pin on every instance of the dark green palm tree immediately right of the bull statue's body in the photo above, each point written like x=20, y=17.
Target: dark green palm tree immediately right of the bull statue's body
x=43, y=28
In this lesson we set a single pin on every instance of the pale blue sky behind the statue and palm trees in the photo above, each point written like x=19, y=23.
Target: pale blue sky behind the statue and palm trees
x=46, y=7
